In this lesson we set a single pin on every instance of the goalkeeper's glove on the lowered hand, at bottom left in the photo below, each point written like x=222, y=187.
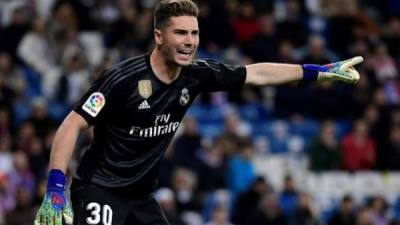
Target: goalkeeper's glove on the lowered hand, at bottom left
x=55, y=203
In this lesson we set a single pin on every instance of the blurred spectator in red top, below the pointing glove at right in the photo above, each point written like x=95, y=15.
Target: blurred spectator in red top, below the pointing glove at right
x=358, y=149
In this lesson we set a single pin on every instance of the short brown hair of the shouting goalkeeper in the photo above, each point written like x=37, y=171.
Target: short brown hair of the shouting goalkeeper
x=170, y=8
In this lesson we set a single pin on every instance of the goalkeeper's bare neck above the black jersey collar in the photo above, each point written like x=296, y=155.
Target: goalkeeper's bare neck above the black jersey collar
x=165, y=71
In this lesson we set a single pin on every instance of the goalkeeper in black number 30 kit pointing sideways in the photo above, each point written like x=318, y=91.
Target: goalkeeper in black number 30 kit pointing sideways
x=135, y=107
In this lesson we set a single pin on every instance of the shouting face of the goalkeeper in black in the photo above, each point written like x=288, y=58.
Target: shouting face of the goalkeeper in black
x=178, y=41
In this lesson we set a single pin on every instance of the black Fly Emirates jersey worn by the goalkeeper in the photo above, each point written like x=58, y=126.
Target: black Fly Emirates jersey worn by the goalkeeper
x=135, y=115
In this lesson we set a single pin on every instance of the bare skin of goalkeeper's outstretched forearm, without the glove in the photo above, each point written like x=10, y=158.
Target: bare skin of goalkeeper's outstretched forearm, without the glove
x=273, y=73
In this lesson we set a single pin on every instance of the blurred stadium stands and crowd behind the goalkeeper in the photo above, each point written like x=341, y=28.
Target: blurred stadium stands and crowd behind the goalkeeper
x=295, y=154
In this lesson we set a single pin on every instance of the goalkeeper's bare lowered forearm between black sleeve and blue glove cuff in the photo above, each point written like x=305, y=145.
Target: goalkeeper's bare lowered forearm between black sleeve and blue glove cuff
x=65, y=140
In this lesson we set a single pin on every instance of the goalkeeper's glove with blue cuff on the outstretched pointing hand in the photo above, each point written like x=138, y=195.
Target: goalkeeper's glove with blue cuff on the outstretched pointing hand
x=338, y=71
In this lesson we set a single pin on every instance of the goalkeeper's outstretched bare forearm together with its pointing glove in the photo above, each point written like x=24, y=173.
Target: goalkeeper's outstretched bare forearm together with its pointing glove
x=279, y=73
